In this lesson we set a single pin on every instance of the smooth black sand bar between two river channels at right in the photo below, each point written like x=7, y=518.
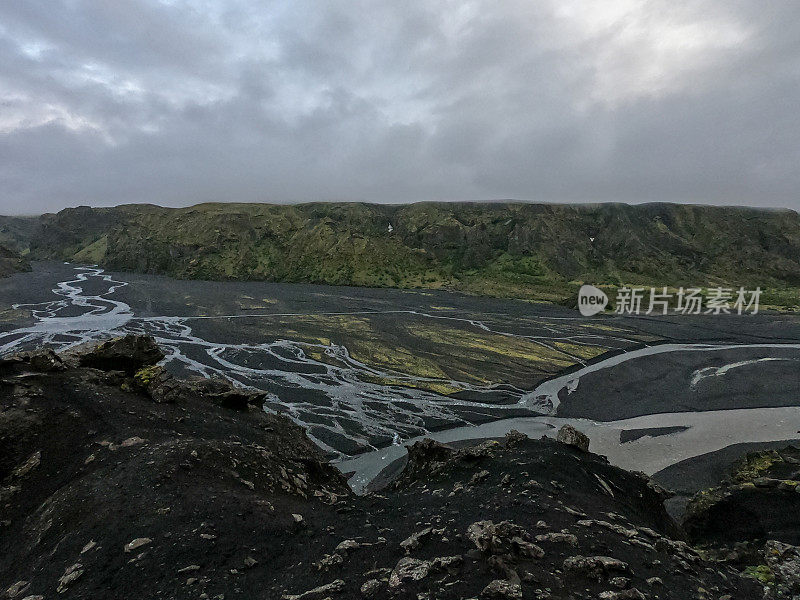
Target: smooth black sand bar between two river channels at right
x=662, y=383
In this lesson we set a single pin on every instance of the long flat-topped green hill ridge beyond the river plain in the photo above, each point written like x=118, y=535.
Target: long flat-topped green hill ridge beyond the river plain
x=510, y=249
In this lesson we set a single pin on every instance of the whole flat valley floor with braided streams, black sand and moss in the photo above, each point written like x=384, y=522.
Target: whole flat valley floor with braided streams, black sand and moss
x=365, y=370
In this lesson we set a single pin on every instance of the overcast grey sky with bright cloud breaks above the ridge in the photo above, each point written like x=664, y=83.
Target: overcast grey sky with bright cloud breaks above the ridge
x=177, y=102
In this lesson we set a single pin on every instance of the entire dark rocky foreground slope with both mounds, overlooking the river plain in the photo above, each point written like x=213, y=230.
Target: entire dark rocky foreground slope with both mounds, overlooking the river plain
x=117, y=480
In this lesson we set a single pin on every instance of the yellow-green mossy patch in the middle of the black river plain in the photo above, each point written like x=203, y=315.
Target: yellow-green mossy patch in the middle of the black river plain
x=412, y=350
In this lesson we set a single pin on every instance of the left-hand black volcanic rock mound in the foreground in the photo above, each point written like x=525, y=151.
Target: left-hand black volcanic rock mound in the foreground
x=89, y=471
